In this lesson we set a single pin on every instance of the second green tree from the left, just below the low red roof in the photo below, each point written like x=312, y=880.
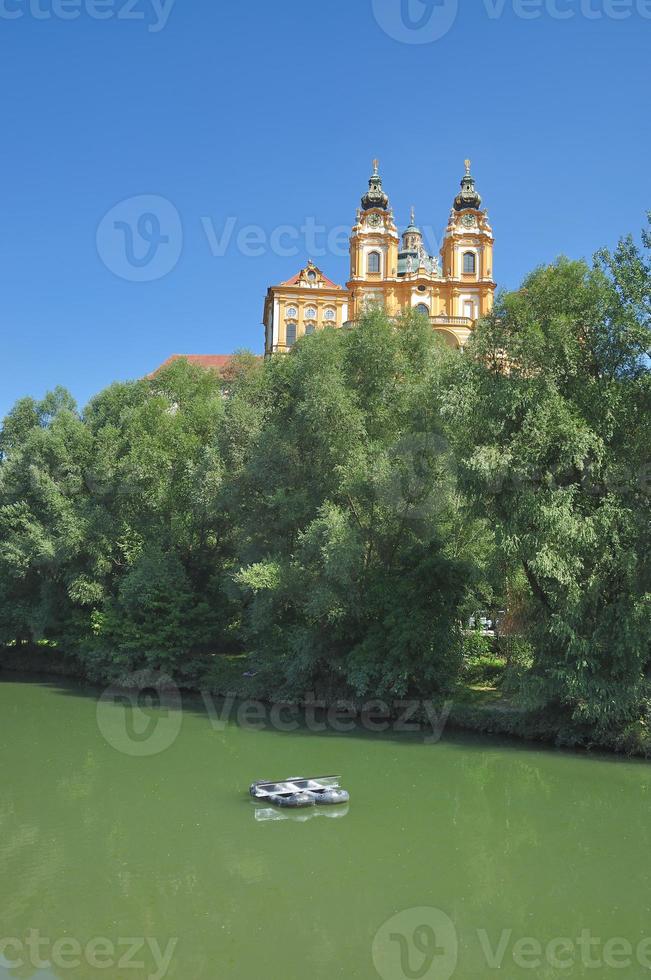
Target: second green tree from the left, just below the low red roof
x=156, y=479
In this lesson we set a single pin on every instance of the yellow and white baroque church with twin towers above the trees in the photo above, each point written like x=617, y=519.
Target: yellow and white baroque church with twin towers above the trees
x=394, y=272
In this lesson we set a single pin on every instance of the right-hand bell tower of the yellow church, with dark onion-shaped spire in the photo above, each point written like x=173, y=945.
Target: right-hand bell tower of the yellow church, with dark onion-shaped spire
x=467, y=254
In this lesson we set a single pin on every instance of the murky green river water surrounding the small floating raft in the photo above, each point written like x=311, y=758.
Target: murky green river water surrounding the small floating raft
x=467, y=858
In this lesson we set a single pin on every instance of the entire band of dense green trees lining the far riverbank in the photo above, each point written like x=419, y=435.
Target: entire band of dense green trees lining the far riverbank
x=340, y=512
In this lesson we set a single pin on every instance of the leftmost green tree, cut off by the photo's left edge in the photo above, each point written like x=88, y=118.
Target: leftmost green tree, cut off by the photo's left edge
x=44, y=516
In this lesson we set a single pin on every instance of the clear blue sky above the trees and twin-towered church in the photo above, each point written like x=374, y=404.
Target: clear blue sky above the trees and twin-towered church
x=268, y=114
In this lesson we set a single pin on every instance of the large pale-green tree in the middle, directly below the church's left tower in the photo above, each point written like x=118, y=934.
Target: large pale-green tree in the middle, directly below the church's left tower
x=353, y=567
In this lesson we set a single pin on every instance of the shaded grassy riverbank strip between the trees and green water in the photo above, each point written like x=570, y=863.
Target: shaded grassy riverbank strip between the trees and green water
x=482, y=710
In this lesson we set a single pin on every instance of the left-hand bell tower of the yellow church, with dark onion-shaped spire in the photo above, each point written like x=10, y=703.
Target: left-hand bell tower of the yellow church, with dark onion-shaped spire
x=374, y=245
